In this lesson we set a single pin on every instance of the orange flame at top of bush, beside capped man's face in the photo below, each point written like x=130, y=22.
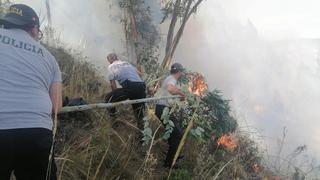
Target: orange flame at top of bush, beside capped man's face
x=197, y=85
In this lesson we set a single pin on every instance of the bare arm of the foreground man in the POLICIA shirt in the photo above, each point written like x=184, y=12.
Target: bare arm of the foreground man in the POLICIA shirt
x=56, y=96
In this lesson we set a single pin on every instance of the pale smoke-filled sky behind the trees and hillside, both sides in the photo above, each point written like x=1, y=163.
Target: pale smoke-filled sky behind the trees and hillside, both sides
x=259, y=53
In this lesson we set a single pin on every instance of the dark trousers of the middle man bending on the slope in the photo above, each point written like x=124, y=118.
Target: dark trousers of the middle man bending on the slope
x=131, y=90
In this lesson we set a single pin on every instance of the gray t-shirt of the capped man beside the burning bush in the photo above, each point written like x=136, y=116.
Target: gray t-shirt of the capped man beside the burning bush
x=164, y=92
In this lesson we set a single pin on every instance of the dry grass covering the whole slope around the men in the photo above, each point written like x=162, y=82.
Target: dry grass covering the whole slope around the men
x=93, y=146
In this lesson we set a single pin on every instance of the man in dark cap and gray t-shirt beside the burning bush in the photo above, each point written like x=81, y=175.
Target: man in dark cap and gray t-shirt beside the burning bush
x=169, y=87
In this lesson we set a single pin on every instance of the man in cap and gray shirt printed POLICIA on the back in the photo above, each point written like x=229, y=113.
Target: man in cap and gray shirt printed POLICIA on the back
x=30, y=91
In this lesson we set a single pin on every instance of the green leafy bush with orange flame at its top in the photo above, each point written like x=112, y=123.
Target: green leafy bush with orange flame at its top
x=210, y=110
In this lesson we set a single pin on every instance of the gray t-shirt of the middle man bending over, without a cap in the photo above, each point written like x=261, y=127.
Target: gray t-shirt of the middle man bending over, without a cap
x=122, y=71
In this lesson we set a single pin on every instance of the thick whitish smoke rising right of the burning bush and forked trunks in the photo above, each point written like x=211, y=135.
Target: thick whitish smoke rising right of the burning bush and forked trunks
x=272, y=84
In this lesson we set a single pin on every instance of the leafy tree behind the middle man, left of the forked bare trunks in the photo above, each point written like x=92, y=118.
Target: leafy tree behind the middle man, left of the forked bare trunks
x=141, y=32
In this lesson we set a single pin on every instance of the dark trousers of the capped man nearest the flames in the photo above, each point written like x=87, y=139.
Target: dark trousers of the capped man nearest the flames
x=175, y=137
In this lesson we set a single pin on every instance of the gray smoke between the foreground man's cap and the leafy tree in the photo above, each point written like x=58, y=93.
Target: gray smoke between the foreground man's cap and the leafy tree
x=91, y=27
